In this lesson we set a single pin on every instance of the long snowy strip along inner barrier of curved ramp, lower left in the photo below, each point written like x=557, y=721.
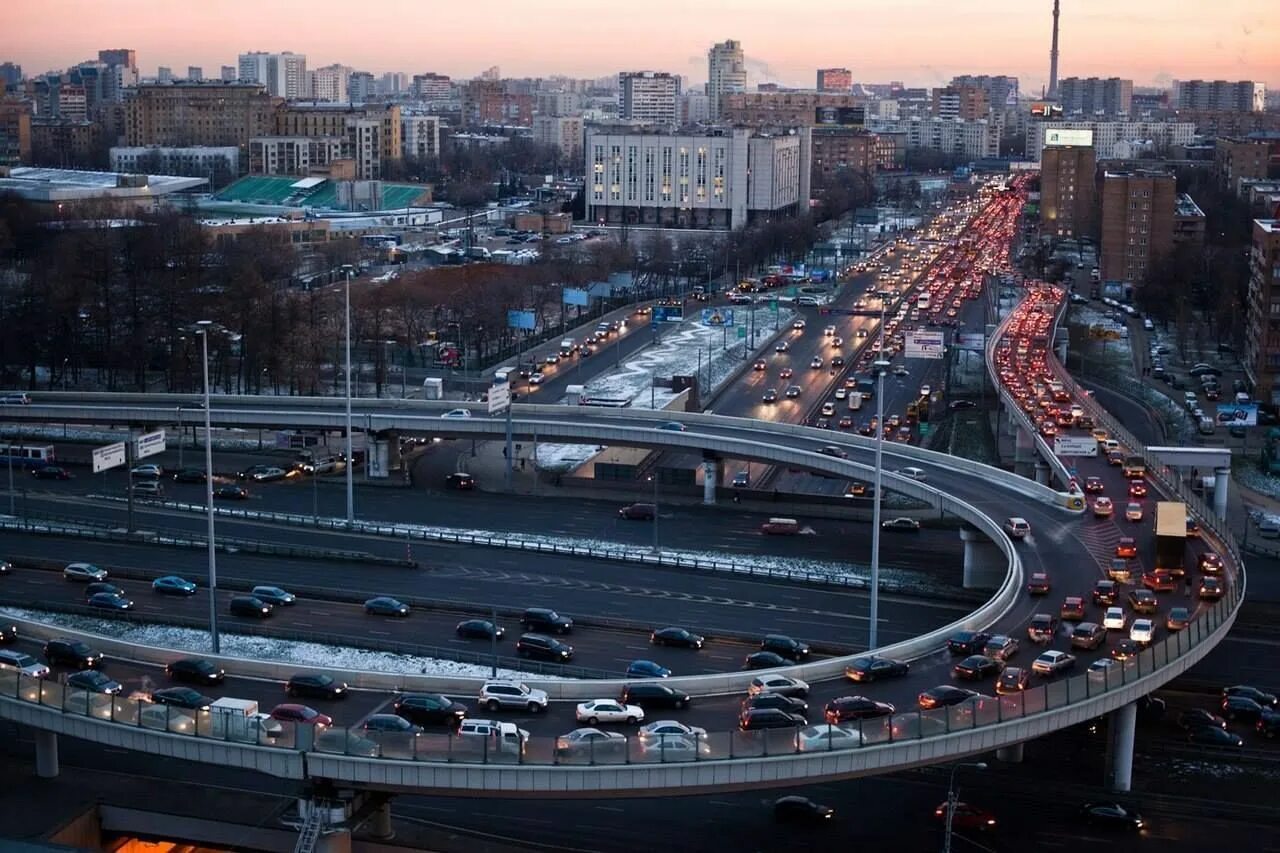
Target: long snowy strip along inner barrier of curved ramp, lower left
x=267, y=649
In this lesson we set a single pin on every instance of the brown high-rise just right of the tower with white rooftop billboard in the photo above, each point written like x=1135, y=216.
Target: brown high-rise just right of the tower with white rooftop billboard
x=1137, y=222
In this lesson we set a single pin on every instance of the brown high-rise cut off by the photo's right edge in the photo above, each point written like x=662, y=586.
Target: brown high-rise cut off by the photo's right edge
x=1263, y=322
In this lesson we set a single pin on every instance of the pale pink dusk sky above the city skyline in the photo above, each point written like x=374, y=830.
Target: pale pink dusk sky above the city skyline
x=921, y=43
